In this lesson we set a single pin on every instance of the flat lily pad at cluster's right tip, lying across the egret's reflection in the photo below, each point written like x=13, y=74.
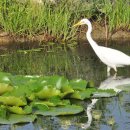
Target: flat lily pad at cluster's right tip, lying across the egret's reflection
x=104, y=93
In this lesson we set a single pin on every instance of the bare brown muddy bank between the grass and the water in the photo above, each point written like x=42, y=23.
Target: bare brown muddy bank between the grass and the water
x=98, y=33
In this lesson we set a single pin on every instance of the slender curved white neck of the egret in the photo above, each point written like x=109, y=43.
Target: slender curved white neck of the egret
x=89, y=37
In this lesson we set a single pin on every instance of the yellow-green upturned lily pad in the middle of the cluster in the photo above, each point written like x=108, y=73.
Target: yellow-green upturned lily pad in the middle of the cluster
x=48, y=92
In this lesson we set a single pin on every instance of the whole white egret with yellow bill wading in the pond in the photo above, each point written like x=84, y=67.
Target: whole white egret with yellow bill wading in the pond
x=111, y=57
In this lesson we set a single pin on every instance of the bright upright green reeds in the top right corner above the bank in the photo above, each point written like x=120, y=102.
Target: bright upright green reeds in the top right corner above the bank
x=119, y=17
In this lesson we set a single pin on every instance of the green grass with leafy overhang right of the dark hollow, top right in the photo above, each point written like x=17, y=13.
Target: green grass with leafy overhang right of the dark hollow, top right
x=117, y=13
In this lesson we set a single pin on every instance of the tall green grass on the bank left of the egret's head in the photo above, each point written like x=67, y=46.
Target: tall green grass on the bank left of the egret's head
x=28, y=18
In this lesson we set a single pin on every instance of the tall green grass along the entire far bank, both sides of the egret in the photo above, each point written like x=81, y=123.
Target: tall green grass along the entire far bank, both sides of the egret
x=56, y=20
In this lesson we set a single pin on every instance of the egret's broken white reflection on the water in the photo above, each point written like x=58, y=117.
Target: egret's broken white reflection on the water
x=112, y=82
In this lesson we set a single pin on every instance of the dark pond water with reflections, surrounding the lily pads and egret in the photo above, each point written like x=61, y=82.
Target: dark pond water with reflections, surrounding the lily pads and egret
x=81, y=62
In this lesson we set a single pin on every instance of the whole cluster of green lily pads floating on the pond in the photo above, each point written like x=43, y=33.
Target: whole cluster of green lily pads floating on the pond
x=41, y=95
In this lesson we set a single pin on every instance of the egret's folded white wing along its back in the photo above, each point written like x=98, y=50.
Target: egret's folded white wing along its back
x=114, y=56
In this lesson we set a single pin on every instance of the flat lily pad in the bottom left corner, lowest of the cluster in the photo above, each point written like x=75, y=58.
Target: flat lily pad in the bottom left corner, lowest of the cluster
x=14, y=118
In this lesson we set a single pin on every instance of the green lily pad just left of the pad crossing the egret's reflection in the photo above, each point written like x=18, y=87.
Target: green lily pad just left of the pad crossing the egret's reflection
x=83, y=94
